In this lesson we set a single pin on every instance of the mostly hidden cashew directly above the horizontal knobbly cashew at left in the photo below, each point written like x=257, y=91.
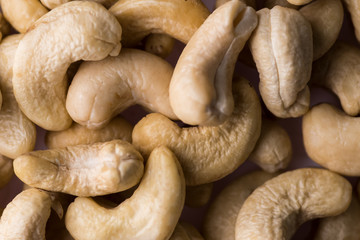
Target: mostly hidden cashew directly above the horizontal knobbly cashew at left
x=118, y=128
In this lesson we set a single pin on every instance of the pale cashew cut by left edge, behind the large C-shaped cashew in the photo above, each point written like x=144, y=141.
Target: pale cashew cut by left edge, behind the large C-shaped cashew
x=17, y=132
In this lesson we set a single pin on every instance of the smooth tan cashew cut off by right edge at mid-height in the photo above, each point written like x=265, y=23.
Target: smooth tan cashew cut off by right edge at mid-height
x=330, y=139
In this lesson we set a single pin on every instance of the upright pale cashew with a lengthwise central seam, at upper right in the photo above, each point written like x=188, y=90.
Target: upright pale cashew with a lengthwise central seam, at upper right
x=283, y=51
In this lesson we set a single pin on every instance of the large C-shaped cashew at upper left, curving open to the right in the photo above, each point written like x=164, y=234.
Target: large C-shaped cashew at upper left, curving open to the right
x=71, y=32
